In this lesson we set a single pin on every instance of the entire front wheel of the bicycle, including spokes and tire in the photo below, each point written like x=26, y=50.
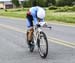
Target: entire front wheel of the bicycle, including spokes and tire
x=42, y=44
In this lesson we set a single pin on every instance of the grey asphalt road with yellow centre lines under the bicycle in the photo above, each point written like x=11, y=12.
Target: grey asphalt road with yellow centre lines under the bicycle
x=13, y=47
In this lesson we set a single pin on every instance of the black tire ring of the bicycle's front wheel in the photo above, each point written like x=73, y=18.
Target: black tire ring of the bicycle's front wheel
x=42, y=54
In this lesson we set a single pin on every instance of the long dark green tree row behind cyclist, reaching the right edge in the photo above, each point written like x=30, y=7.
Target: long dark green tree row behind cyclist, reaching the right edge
x=45, y=3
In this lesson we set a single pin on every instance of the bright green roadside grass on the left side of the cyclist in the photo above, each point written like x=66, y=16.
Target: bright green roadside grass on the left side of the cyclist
x=13, y=13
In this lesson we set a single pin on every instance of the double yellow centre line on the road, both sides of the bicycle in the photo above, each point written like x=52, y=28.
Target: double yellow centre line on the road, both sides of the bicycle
x=51, y=39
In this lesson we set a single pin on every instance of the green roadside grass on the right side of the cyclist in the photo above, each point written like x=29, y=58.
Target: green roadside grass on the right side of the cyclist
x=68, y=17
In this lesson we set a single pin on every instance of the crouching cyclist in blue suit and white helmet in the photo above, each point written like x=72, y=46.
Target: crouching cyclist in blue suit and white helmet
x=34, y=15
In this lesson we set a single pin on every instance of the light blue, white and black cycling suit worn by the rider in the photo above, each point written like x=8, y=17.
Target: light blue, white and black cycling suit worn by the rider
x=32, y=18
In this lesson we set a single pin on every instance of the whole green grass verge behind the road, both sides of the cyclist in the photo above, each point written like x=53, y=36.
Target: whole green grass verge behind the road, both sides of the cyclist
x=68, y=17
